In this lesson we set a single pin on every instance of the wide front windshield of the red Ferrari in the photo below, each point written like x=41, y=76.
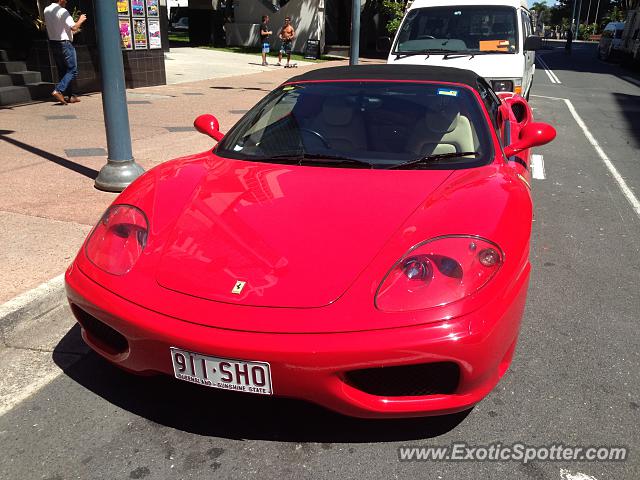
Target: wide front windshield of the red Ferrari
x=356, y=124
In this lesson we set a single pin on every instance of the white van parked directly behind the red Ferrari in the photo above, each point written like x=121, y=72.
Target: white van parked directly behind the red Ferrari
x=494, y=38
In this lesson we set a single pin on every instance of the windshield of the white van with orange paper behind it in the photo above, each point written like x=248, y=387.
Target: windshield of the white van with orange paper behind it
x=469, y=29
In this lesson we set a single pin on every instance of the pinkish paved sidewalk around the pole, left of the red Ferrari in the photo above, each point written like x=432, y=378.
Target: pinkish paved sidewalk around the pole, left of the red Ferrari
x=52, y=153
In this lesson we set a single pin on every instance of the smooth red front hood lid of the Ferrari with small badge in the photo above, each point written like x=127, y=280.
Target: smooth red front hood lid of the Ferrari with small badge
x=297, y=236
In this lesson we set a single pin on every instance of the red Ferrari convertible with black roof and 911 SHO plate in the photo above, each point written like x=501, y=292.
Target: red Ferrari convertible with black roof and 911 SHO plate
x=359, y=239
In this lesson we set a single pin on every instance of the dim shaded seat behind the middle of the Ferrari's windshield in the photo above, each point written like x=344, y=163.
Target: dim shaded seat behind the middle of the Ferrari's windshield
x=341, y=125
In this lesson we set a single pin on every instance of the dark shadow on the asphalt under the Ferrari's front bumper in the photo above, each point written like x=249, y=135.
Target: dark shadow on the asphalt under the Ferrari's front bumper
x=210, y=412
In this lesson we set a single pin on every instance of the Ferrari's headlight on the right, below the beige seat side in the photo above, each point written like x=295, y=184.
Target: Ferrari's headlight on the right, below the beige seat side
x=438, y=272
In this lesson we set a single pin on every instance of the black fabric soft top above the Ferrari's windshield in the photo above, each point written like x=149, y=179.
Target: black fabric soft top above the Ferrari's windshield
x=391, y=72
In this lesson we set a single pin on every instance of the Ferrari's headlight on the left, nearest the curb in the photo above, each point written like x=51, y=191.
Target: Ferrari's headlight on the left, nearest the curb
x=118, y=240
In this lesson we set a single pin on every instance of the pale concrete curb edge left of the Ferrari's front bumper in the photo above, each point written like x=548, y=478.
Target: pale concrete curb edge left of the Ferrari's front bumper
x=33, y=303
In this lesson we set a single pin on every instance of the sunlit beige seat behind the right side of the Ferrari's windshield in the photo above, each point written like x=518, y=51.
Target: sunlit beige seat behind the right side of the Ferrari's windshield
x=442, y=130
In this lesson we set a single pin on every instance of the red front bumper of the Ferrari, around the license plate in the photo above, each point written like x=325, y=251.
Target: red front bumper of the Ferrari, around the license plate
x=312, y=367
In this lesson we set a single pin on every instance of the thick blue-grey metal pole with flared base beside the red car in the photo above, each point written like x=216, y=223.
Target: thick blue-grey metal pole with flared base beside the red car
x=121, y=169
